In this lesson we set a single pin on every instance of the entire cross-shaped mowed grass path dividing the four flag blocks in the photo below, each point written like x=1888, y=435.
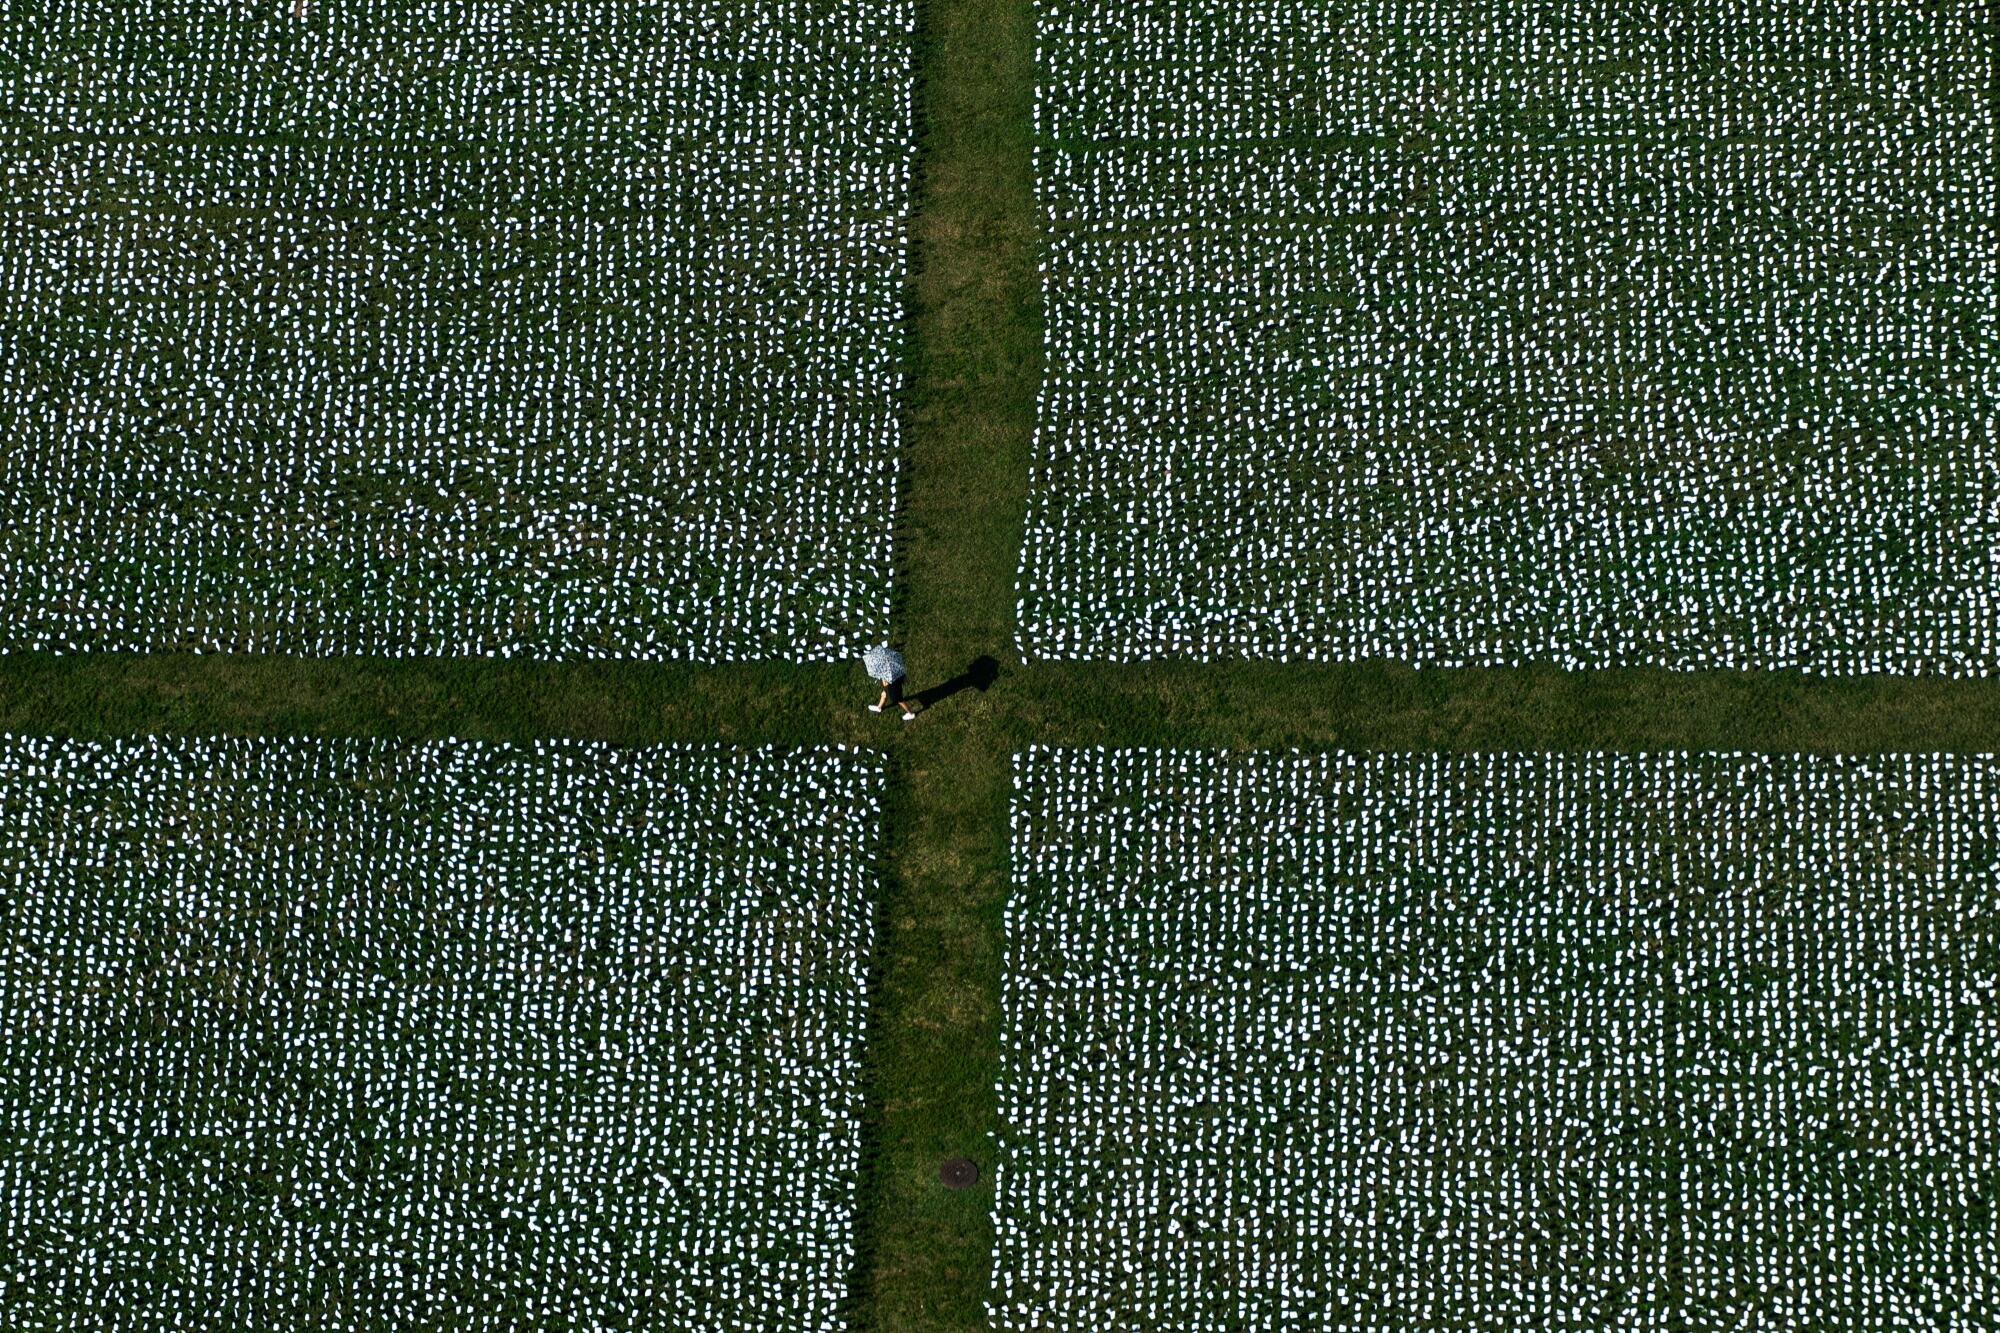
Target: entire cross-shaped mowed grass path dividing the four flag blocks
x=975, y=365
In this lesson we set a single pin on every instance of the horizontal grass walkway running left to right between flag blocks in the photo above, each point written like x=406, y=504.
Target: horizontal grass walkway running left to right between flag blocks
x=1161, y=704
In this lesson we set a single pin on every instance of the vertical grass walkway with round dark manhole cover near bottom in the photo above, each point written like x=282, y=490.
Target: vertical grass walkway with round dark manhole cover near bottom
x=975, y=365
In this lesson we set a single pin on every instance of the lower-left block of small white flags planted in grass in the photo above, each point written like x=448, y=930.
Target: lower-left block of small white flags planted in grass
x=389, y=1036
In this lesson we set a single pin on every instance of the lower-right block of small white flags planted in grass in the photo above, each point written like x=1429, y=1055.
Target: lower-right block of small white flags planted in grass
x=1499, y=1042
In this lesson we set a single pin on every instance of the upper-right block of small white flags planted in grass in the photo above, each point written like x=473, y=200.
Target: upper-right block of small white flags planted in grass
x=1505, y=333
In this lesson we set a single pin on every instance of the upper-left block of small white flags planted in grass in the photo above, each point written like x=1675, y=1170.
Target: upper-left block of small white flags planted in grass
x=417, y=327
